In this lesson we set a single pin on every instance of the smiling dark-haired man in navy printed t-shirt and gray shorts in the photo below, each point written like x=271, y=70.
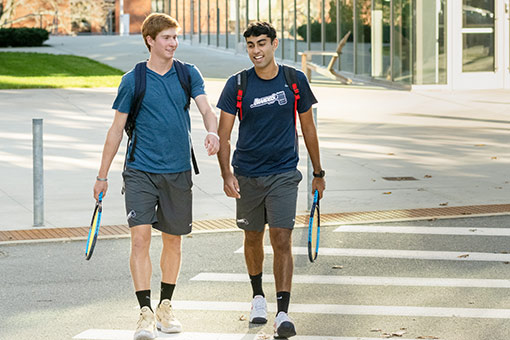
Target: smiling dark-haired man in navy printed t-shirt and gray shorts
x=265, y=177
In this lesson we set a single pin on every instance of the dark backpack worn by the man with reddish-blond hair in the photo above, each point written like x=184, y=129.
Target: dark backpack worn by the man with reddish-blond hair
x=140, y=86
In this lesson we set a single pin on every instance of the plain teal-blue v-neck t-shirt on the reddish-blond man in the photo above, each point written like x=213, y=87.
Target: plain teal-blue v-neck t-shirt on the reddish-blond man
x=162, y=127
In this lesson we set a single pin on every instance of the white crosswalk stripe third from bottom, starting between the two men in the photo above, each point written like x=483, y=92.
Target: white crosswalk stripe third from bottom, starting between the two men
x=364, y=280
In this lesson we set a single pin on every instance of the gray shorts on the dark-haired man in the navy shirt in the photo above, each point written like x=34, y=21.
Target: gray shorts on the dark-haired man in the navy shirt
x=268, y=199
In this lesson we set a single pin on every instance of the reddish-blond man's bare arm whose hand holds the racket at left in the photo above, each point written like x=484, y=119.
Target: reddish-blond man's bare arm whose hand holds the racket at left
x=111, y=146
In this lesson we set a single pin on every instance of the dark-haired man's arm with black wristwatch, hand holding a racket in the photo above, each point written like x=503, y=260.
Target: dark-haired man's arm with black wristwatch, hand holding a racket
x=312, y=144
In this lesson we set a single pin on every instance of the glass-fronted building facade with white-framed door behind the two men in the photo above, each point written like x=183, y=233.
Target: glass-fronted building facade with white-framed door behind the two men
x=454, y=44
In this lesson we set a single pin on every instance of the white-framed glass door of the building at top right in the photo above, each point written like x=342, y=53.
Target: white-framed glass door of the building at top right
x=478, y=54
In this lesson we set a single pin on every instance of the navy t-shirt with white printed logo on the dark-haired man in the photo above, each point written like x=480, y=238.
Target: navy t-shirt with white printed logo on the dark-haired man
x=267, y=142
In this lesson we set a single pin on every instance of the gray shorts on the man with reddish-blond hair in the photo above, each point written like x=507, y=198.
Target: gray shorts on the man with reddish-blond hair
x=161, y=200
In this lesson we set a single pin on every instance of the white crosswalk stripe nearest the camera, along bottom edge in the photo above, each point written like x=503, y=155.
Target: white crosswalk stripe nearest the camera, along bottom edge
x=110, y=334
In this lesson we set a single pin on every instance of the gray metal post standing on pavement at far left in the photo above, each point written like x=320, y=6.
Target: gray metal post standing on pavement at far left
x=37, y=152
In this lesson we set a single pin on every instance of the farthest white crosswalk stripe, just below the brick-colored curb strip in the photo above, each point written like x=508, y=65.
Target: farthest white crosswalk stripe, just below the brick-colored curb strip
x=424, y=230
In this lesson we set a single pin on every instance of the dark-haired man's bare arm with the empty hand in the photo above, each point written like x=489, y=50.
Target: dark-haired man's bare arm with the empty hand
x=230, y=184
